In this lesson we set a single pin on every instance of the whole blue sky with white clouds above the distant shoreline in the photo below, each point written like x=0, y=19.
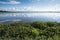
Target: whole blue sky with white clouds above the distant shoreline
x=30, y=5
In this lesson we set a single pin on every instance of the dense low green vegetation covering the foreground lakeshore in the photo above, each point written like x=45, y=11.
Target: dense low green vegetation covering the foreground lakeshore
x=30, y=31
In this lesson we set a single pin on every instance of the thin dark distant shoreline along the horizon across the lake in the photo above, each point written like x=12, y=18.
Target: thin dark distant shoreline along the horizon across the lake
x=29, y=11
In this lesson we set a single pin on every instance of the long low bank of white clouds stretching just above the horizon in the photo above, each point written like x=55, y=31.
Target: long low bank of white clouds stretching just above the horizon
x=31, y=8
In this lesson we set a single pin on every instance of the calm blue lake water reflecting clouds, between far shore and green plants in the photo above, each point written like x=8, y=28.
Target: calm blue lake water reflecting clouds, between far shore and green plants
x=29, y=17
